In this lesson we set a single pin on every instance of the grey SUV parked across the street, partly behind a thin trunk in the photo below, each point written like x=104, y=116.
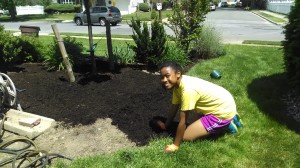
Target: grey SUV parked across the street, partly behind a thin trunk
x=99, y=14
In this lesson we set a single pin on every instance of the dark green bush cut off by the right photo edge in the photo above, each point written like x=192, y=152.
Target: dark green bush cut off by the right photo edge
x=291, y=45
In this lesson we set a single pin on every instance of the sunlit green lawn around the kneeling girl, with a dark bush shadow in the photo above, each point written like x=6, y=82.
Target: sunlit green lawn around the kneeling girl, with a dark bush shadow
x=256, y=78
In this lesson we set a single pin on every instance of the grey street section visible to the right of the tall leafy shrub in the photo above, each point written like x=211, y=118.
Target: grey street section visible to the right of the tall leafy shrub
x=236, y=25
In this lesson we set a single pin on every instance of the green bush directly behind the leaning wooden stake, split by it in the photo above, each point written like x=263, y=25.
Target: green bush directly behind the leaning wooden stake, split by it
x=53, y=58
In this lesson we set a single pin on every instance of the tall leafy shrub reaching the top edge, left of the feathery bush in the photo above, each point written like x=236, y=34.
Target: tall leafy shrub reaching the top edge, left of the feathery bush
x=186, y=21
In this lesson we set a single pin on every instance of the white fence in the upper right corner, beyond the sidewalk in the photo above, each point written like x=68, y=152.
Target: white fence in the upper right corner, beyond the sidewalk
x=280, y=6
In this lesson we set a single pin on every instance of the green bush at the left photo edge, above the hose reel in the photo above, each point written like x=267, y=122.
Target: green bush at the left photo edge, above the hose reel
x=18, y=49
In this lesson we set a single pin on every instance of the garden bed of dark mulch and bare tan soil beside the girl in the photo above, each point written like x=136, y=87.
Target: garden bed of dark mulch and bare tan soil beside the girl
x=95, y=114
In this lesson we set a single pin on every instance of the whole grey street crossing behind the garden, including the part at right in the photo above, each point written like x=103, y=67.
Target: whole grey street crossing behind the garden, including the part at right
x=234, y=26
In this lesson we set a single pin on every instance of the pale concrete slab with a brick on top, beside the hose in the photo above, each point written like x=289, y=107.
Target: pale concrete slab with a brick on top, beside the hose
x=27, y=124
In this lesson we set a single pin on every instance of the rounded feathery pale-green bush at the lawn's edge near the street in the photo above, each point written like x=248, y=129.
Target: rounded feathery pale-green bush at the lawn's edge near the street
x=208, y=44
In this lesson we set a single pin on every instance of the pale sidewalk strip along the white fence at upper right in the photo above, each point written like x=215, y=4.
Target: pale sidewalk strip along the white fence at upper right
x=279, y=19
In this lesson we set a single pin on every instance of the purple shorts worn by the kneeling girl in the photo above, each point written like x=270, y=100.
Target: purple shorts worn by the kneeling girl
x=213, y=124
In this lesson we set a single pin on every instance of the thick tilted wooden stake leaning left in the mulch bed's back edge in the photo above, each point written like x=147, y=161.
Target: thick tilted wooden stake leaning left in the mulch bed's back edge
x=63, y=53
